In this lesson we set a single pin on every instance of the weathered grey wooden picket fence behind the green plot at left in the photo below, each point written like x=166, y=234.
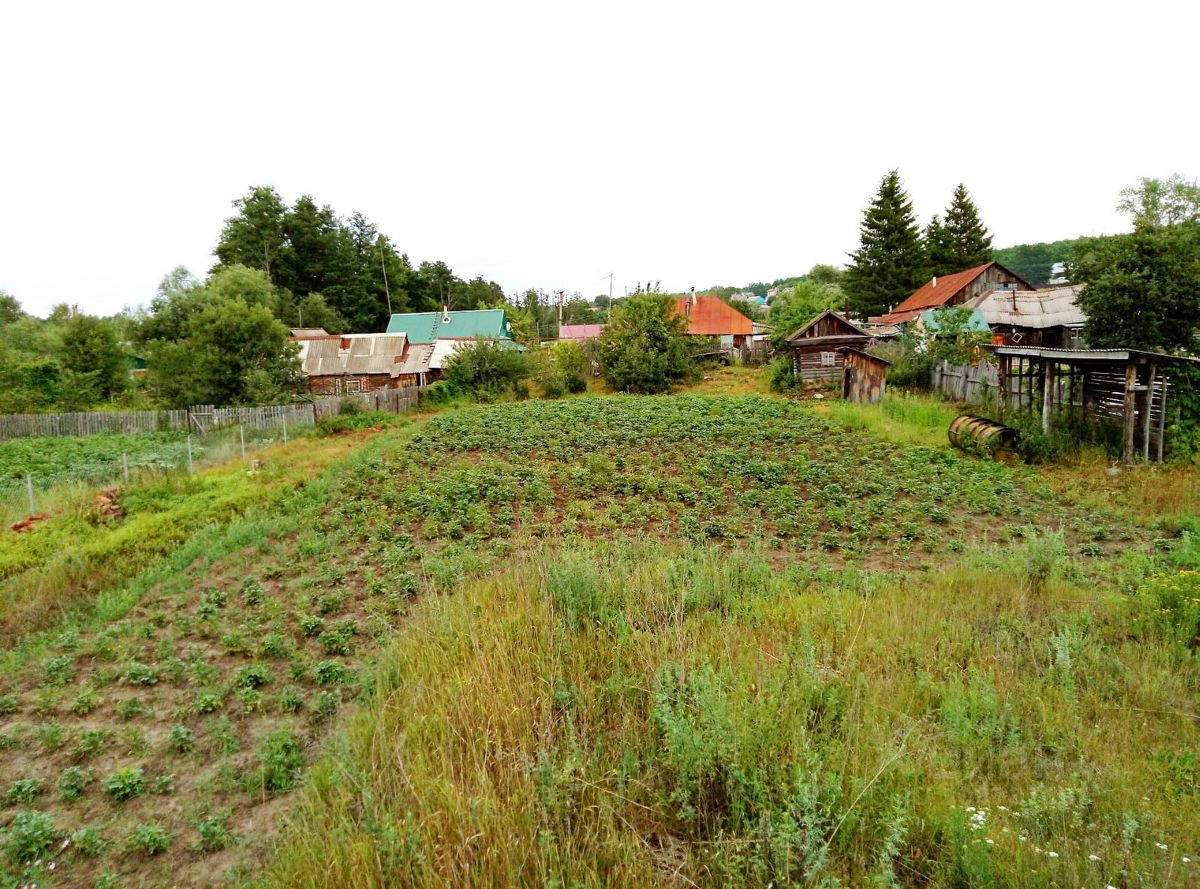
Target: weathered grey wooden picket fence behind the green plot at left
x=203, y=418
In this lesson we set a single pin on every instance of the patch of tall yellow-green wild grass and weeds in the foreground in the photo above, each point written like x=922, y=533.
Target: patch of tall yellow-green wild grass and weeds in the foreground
x=633, y=716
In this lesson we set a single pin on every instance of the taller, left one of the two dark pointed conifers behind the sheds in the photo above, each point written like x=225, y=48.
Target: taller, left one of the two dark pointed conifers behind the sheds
x=891, y=262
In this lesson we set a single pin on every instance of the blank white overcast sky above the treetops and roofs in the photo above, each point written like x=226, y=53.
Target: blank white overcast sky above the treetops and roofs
x=549, y=145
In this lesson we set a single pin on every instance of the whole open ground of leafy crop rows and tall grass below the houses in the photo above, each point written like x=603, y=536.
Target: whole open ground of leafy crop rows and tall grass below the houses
x=608, y=641
